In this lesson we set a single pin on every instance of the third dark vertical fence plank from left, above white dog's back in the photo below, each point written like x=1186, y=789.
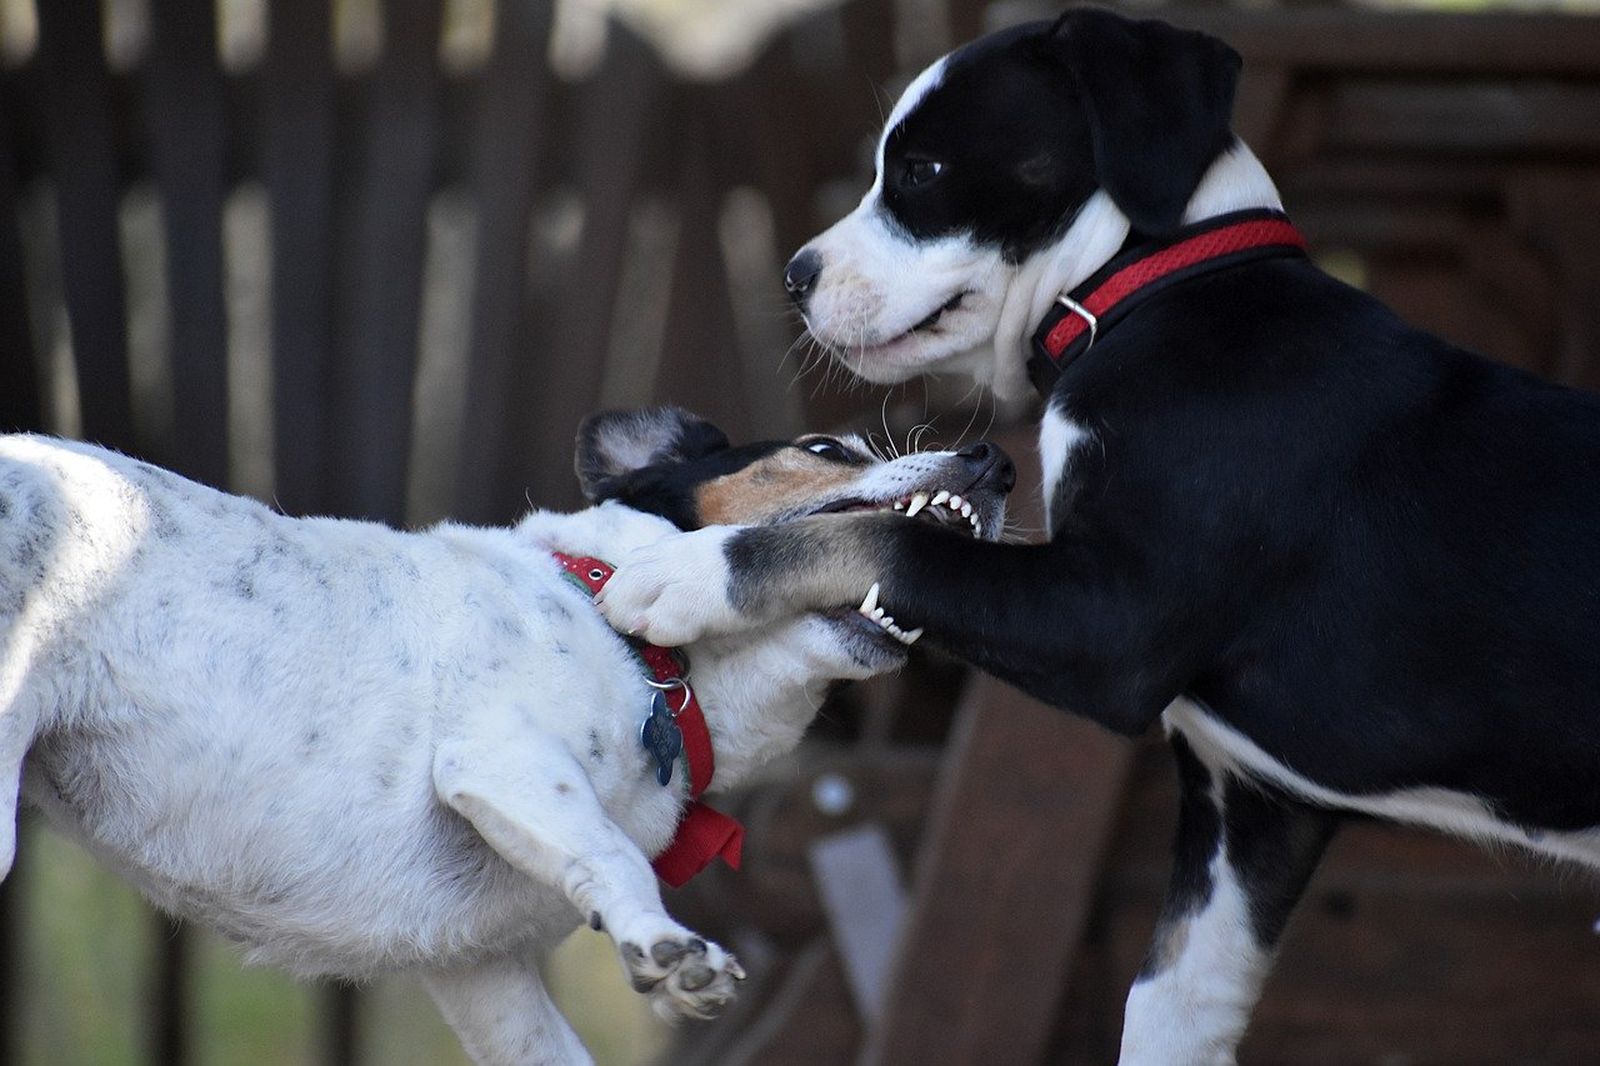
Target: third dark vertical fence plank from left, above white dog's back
x=297, y=134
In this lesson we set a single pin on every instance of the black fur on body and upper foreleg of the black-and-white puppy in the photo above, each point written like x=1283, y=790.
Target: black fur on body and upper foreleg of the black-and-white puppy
x=1375, y=555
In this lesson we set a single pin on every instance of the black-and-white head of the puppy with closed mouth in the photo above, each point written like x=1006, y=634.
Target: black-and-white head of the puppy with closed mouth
x=1007, y=174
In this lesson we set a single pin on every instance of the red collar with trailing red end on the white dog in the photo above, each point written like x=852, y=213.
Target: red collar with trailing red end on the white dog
x=703, y=833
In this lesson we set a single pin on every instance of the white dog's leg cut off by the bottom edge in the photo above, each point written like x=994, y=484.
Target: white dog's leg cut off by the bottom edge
x=503, y=1016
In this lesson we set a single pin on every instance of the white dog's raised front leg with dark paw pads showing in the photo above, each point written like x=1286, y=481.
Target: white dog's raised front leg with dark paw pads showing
x=534, y=803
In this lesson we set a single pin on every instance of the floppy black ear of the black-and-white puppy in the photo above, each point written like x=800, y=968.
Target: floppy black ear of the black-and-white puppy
x=1159, y=102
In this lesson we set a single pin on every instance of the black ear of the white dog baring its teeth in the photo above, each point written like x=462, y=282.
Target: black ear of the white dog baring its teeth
x=614, y=444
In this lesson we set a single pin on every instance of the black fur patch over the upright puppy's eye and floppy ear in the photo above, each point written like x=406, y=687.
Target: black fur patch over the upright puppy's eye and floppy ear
x=1137, y=108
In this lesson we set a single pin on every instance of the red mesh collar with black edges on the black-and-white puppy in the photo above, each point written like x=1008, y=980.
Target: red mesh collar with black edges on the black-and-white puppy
x=1084, y=316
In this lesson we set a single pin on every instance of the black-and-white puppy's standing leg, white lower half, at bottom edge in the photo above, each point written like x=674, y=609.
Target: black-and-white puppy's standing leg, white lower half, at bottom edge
x=1242, y=860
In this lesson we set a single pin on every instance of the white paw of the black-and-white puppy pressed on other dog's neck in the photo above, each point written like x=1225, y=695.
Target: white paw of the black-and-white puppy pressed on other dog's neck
x=674, y=591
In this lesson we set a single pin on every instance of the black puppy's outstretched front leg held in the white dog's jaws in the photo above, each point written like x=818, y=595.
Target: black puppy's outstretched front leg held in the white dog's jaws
x=1068, y=622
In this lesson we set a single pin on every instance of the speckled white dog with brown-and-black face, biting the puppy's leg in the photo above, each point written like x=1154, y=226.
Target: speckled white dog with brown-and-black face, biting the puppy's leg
x=358, y=750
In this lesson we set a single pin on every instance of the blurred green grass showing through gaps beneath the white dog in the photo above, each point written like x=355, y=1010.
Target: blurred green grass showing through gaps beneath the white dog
x=89, y=944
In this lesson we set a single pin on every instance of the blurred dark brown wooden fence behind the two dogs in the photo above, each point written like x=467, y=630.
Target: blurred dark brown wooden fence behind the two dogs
x=393, y=291
